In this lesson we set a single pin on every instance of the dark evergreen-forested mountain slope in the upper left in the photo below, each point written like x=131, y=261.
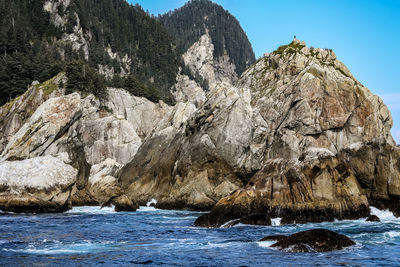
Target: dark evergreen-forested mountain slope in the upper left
x=123, y=43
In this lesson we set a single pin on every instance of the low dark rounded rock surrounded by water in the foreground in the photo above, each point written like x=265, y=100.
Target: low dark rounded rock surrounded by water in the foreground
x=315, y=240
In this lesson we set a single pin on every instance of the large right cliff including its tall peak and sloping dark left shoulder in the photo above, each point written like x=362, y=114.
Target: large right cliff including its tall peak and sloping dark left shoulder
x=291, y=129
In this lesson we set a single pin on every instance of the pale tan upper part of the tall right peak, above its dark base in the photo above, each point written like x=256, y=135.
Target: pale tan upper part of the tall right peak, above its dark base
x=309, y=98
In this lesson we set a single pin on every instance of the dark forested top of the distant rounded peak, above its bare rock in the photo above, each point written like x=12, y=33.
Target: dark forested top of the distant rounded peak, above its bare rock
x=188, y=23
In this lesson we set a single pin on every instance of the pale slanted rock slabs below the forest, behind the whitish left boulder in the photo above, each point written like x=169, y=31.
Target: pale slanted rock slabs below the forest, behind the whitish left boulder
x=83, y=132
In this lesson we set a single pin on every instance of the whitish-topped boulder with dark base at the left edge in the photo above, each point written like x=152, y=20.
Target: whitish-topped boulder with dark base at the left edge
x=37, y=185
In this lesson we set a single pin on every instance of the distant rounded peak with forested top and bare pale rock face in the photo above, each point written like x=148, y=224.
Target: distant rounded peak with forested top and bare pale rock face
x=213, y=46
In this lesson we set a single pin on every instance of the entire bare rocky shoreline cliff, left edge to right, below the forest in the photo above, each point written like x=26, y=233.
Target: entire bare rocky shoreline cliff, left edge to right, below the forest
x=296, y=137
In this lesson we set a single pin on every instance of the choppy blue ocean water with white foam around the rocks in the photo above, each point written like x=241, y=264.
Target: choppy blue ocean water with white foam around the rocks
x=89, y=236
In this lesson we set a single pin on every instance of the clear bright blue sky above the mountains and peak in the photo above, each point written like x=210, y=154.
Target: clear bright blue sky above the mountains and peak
x=364, y=34
